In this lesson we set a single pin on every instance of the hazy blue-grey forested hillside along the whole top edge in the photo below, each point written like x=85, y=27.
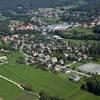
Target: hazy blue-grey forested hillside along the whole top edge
x=13, y=4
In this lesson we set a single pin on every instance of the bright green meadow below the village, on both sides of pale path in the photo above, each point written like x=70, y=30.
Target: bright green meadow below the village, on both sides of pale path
x=57, y=85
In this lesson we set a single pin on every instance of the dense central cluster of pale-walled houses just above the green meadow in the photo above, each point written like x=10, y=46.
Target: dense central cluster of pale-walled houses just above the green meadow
x=39, y=51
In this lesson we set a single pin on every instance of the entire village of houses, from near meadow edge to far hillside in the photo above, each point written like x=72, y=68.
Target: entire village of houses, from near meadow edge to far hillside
x=34, y=39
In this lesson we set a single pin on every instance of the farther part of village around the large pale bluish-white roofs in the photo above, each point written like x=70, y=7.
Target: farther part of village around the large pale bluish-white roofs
x=46, y=20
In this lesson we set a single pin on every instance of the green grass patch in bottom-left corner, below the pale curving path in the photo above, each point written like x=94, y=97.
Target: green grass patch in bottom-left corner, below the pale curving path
x=9, y=91
